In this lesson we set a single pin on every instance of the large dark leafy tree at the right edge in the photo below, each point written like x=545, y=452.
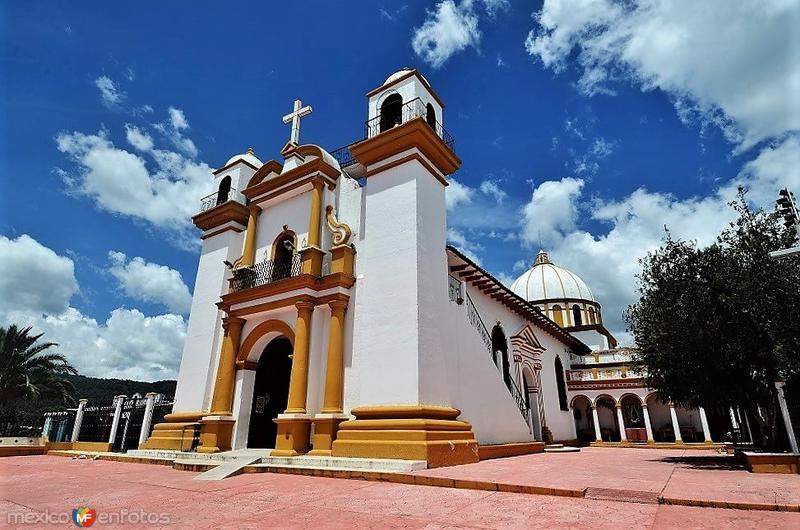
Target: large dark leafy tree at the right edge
x=717, y=326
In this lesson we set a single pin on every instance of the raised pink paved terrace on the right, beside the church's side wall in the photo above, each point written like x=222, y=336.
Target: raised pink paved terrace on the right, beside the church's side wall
x=685, y=475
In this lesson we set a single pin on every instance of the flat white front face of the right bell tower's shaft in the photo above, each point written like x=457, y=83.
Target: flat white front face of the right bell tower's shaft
x=385, y=312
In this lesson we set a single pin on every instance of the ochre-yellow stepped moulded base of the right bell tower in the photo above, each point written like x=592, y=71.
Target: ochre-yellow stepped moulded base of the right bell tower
x=412, y=432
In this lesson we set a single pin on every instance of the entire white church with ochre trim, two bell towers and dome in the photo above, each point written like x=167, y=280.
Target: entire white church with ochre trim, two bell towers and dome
x=331, y=318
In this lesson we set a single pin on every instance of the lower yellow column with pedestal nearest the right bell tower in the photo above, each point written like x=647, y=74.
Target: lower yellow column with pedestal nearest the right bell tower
x=327, y=423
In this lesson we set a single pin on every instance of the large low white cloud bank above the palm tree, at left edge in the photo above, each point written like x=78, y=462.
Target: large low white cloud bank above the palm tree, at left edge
x=36, y=286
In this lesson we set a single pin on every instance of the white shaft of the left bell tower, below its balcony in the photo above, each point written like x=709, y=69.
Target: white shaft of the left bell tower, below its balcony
x=201, y=349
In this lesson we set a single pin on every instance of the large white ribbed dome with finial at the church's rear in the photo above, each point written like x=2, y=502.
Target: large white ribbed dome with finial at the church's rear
x=545, y=281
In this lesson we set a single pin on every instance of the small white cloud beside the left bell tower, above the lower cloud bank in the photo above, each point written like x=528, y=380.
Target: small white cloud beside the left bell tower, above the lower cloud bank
x=150, y=282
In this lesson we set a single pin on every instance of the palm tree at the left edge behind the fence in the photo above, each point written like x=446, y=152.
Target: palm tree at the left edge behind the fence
x=27, y=371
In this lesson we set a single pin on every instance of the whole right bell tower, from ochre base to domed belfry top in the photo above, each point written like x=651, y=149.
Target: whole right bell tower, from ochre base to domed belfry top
x=402, y=280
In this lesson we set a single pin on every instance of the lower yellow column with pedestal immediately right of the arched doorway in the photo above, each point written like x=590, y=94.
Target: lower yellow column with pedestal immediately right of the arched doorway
x=294, y=424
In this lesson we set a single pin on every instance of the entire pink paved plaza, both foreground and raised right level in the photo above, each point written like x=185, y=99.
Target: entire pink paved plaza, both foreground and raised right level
x=611, y=488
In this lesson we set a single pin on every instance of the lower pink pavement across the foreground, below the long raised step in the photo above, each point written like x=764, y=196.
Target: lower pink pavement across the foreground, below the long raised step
x=38, y=483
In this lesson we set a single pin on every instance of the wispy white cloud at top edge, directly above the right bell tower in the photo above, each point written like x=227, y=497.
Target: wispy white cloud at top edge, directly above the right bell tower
x=448, y=29
